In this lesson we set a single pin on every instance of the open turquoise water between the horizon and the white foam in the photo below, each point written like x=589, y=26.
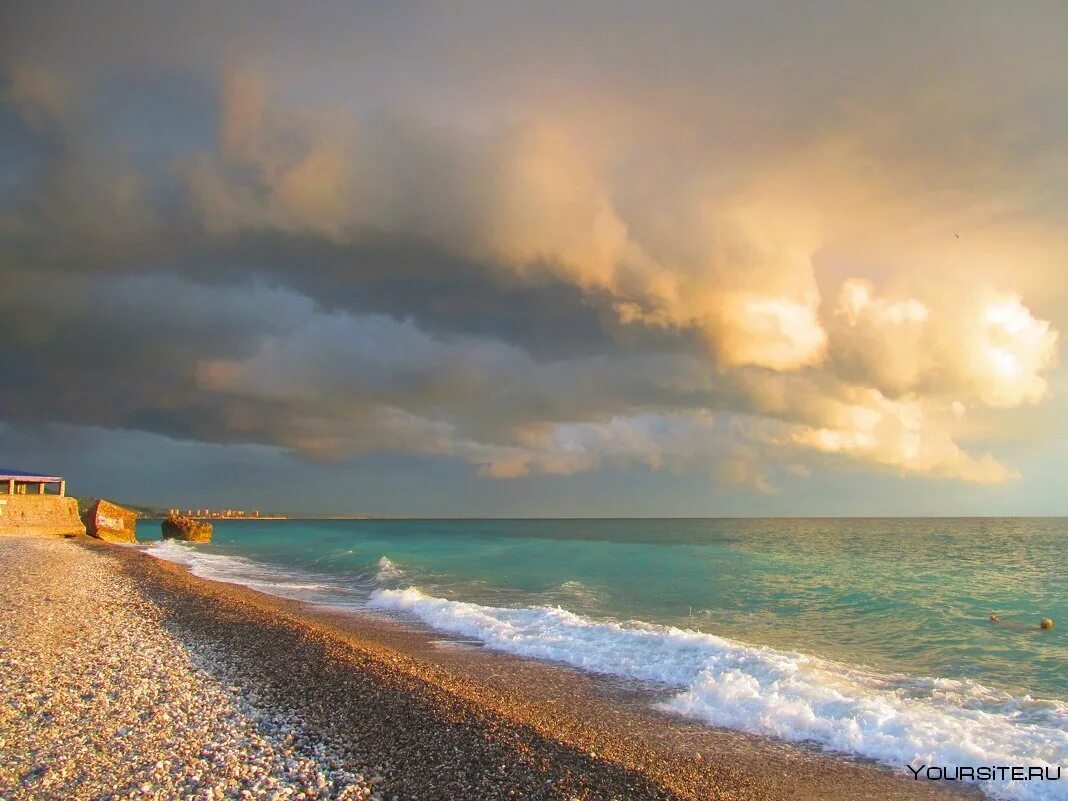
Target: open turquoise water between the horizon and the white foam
x=905, y=595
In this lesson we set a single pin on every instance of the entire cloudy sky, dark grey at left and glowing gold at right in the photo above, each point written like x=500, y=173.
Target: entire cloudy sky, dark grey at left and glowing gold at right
x=511, y=259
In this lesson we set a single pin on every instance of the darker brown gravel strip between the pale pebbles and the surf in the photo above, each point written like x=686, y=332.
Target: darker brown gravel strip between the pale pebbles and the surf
x=587, y=736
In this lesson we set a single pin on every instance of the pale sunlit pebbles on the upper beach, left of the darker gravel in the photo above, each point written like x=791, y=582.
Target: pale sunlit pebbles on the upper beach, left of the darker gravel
x=99, y=700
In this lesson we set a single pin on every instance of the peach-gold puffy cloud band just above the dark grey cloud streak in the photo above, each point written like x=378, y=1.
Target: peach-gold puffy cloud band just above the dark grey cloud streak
x=525, y=197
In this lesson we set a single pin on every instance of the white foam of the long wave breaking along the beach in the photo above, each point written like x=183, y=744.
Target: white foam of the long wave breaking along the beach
x=897, y=720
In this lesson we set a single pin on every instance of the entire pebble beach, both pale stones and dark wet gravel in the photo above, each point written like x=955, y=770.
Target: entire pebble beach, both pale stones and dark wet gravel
x=124, y=678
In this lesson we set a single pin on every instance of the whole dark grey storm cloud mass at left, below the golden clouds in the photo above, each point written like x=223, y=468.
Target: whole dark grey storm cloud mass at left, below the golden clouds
x=120, y=306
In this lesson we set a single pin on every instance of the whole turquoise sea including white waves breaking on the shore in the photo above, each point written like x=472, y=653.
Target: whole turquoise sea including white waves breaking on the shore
x=866, y=637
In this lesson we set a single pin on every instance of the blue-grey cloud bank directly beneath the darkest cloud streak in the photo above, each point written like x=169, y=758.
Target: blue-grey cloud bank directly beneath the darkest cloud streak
x=243, y=364
